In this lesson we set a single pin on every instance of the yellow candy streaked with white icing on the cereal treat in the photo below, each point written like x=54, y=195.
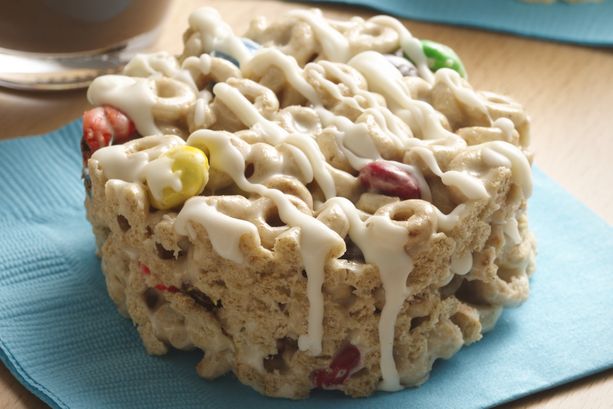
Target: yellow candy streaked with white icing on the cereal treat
x=191, y=165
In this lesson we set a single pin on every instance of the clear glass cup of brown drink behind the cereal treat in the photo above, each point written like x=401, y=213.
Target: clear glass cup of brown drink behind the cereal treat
x=64, y=44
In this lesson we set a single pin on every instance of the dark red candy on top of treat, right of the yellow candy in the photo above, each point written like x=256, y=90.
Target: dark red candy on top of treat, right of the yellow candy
x=389, y=179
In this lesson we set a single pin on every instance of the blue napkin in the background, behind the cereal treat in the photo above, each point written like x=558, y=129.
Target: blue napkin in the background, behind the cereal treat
x=585, y=24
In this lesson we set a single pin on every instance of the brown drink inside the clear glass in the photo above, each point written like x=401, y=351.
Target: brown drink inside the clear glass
x=67, y=26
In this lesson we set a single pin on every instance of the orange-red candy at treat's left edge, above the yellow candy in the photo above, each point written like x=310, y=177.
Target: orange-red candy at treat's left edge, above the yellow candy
x=103, y=126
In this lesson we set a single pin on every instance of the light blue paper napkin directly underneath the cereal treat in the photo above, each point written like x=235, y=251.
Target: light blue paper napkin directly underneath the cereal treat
x=62, y=337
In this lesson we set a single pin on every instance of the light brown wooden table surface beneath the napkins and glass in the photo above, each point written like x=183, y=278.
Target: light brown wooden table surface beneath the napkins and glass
x=567, y=90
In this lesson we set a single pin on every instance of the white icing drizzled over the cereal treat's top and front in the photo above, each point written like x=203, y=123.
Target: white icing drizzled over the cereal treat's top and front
x=381, y=239
